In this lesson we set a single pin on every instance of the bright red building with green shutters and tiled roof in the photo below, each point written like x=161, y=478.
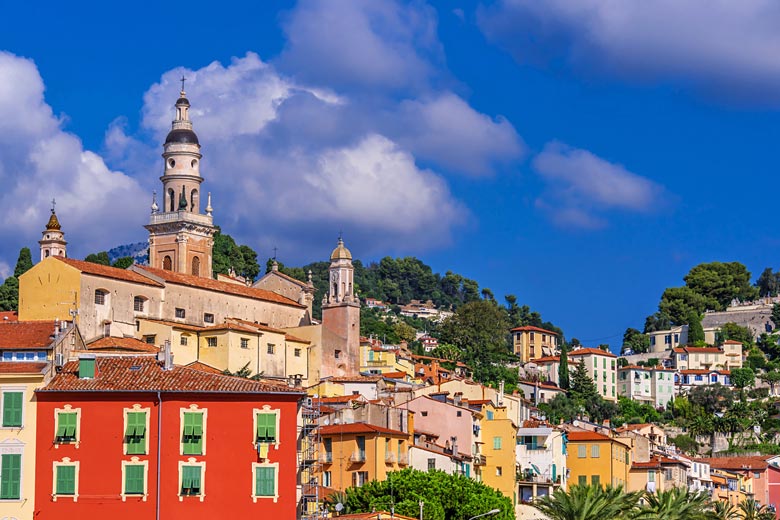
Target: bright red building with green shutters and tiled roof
x=126, y=438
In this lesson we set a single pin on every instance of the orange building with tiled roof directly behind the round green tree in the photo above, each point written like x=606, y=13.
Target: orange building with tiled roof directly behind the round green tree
x=354, y=454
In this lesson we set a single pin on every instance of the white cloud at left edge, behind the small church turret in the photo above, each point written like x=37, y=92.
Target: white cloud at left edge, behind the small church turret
x=39, y=160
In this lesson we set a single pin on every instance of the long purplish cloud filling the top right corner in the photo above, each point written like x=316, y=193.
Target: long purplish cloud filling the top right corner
x=726, y=48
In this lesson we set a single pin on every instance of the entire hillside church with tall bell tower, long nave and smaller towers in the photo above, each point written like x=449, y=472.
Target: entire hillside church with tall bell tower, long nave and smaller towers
x=178, y=286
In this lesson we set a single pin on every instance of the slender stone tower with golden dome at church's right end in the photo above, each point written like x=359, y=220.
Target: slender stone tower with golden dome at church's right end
x=340, y=318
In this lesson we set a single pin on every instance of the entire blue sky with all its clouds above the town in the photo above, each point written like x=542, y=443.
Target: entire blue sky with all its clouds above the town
x=583, y=156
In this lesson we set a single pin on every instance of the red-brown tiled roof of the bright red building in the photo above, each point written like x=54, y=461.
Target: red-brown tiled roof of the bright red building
x=146, y=374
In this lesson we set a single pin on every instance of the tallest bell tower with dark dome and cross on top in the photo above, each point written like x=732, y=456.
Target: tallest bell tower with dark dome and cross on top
x=180, y=236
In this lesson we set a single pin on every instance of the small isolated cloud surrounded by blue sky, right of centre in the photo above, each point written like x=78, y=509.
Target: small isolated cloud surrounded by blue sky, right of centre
x=587, y=186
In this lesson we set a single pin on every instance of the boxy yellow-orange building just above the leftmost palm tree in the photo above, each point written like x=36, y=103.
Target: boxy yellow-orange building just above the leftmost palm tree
x=594, y=458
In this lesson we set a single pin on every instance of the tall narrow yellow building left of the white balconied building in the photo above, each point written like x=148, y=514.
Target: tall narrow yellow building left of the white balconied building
x=499, y=436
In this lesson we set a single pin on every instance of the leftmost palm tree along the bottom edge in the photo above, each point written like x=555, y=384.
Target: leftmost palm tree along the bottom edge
x=589, y=502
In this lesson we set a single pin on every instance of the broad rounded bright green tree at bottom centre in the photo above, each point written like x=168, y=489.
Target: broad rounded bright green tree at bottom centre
x=450, y=497
